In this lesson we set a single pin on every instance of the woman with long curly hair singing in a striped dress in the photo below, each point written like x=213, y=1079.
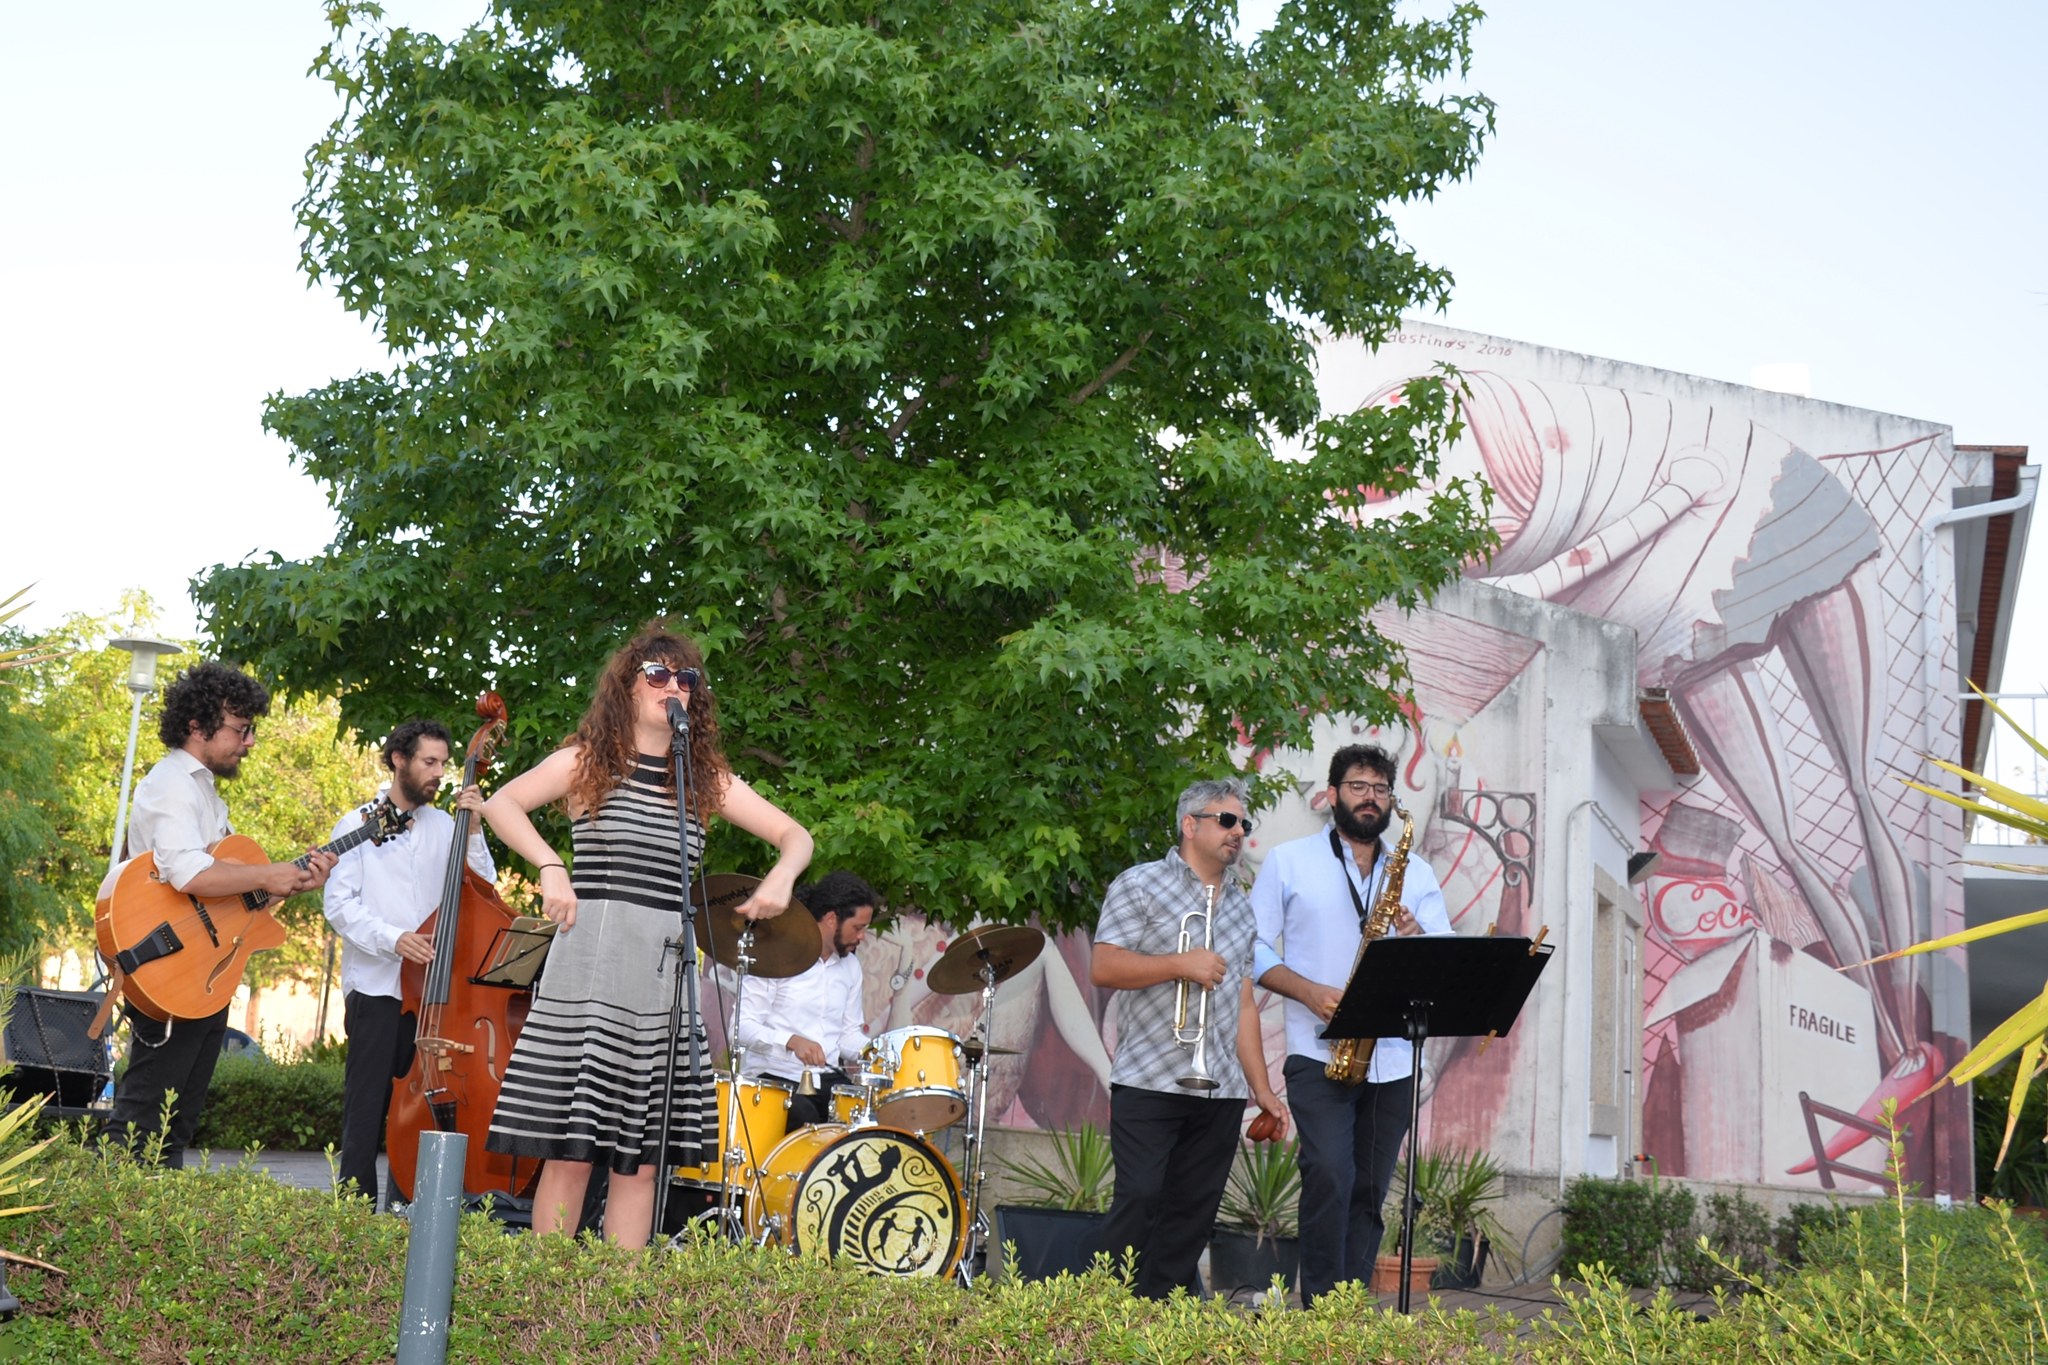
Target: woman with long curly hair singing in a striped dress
x=585, y=1082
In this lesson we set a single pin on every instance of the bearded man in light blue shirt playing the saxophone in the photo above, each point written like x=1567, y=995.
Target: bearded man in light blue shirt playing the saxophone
x=1314, y=899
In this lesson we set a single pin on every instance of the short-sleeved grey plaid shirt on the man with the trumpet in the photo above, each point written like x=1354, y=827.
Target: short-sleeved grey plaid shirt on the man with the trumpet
x=1142, y=914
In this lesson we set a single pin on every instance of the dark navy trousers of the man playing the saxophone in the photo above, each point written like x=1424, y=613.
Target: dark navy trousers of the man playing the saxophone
x=1351, y=1141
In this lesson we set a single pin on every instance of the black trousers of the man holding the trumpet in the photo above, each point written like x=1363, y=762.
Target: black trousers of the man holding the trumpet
x=1172, y=1163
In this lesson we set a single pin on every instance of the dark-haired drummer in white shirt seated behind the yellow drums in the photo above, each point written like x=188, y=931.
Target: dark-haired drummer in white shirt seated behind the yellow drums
x=812, y=1022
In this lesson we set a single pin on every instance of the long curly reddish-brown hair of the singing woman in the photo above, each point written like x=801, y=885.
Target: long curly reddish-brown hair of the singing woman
x=605, y=734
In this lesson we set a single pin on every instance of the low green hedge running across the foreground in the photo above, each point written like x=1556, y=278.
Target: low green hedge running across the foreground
x=230, y=1266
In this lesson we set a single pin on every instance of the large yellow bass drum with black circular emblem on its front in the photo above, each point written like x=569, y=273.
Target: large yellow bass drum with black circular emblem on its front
x=882, y=1198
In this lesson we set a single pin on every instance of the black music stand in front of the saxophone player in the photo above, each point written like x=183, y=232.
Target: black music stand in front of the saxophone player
x=1435, y=987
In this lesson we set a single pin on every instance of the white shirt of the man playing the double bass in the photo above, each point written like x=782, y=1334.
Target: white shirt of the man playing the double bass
x=380, y=891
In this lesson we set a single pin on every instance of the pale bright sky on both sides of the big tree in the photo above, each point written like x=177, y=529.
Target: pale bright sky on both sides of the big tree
x=1854, y=187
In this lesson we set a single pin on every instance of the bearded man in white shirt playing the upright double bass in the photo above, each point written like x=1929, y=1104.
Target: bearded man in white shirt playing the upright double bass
x=376, y=904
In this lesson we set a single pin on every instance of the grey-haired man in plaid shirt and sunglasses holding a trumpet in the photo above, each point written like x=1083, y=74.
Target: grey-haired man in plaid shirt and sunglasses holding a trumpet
x=1175, y=940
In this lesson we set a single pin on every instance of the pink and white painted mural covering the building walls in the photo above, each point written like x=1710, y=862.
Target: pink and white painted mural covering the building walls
x=1764, y=554
